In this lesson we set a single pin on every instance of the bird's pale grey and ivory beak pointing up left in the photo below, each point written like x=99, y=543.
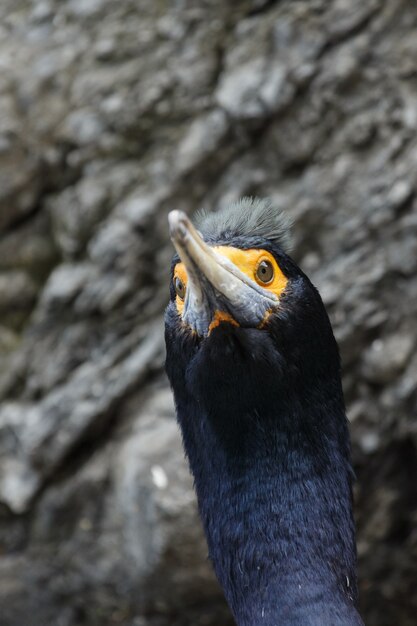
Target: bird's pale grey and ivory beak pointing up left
x=216, y=289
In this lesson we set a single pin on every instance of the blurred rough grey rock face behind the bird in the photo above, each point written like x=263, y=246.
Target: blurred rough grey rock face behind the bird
x=112, y=113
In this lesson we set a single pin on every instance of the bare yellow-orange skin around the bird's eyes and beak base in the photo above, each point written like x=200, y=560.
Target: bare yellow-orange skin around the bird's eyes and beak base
x=248, y=262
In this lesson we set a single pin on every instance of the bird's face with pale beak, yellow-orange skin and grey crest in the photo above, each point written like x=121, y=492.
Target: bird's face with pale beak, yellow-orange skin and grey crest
x=233, y=269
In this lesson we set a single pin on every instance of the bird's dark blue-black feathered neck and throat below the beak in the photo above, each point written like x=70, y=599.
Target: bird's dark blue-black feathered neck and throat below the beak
x=266, y=435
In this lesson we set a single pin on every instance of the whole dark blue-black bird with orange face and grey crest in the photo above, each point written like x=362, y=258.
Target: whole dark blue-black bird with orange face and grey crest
x=255, y=372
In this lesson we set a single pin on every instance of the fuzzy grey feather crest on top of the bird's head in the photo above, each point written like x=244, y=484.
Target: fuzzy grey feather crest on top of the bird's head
x=253, y=217
